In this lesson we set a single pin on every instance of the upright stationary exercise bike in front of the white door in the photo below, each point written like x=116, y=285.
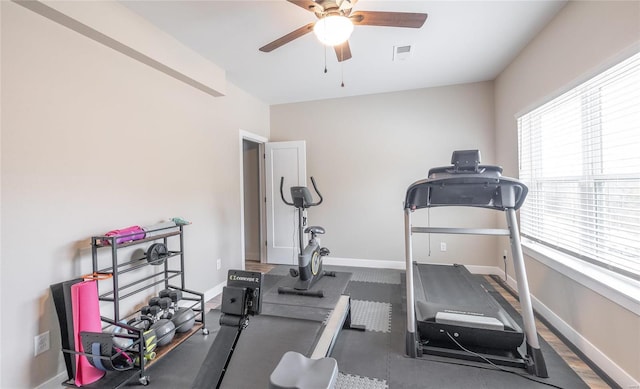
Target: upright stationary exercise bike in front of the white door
x=309, y=269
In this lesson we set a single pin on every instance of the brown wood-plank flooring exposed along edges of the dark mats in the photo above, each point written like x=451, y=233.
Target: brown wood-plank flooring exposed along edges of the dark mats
x=578, y=365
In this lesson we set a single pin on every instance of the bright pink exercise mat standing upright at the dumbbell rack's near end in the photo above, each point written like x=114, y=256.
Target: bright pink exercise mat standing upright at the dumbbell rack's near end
x=86, y=317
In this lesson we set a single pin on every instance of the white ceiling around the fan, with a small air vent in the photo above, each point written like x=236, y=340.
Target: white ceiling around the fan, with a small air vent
x=461, y=42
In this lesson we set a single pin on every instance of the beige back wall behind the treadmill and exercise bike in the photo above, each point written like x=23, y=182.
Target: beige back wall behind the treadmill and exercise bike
x=365, y=151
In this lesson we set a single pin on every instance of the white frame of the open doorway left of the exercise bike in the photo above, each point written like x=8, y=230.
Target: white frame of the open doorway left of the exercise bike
x=260, y=140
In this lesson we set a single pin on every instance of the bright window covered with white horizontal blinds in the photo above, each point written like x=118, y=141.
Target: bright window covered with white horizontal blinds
x=580, y=157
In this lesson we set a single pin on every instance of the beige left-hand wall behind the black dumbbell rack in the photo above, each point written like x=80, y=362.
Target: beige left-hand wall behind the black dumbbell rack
x=93, y=140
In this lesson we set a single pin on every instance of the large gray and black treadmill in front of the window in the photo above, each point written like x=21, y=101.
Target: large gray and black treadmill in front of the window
x=449, y=313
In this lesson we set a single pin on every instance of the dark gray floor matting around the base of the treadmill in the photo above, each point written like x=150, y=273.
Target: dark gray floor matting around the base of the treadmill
x=382, y=355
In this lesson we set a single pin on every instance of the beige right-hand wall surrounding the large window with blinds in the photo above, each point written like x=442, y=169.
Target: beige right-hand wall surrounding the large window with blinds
x=584, y=38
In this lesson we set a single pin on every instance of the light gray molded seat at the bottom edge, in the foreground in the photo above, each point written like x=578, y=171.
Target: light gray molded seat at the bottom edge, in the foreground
x=295, y=371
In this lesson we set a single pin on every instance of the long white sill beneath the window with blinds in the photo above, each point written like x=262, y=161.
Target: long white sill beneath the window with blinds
x=617, y=288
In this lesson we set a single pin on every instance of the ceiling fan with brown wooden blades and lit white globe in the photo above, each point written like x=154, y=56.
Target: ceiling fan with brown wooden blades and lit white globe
x=339, y=11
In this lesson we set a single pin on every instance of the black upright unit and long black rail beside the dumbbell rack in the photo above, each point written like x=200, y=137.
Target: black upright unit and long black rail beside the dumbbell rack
x=240, y=298
